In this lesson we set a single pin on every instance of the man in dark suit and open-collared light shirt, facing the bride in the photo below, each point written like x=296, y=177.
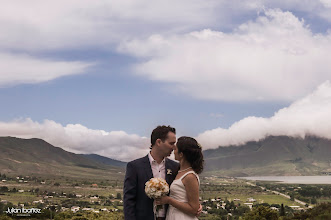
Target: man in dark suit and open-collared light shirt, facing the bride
x=137, y=206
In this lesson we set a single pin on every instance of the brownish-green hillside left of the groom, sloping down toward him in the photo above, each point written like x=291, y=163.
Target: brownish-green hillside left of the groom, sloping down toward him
x=37, y=157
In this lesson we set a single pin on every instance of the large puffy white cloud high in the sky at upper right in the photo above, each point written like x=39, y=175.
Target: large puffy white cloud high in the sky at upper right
x=260, y=60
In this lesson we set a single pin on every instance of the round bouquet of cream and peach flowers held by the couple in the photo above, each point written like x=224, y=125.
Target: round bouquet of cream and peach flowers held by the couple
x=156, y=188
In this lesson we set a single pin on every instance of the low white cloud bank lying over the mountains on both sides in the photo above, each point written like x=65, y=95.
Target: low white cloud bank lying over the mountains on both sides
x=307, y=116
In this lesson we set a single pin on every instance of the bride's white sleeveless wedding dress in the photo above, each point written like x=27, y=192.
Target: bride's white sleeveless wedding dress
x=178, y=192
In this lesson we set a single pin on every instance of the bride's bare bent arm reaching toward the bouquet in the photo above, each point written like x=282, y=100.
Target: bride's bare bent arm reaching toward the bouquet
x=192, y=191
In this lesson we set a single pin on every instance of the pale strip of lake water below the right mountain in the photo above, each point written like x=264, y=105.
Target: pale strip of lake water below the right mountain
x=293, y=179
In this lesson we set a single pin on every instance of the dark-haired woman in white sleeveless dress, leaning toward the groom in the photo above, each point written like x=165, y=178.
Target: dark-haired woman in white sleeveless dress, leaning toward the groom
x=184, y=190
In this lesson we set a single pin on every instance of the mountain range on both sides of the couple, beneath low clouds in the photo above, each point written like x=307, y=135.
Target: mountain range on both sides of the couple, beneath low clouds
x=274, y=155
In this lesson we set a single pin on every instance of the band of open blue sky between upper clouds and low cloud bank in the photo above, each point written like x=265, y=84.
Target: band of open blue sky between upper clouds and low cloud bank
x=109, y=97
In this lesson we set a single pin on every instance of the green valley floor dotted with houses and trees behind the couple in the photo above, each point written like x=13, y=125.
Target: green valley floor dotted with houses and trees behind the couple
x=100, y=197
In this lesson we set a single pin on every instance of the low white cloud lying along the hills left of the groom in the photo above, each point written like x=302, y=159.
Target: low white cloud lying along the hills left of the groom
x=79, y=139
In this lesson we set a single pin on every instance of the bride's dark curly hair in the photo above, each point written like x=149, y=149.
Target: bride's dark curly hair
x=192, y=152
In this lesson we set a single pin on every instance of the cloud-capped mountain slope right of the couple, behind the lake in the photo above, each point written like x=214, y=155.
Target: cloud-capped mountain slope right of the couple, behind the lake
x=280, y=155
